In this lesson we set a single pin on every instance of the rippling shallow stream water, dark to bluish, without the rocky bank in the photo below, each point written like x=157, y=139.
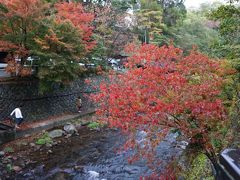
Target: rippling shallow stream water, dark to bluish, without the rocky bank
x=93, y=155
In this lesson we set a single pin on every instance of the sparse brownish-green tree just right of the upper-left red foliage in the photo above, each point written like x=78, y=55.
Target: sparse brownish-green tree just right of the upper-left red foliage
x=112, y=30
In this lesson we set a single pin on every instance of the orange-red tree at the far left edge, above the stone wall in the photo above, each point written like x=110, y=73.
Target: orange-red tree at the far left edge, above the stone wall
x=18, y=21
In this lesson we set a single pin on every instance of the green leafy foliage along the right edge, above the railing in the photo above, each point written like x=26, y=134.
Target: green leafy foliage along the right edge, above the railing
x=228, y=47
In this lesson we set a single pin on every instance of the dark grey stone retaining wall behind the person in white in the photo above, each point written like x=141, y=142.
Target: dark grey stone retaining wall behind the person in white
x=37, y=106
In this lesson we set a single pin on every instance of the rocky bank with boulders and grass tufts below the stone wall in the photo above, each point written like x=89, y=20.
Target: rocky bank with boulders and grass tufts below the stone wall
x=25, y=153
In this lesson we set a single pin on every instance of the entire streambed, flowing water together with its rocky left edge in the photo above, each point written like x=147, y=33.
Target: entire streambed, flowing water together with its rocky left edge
x=85, y=154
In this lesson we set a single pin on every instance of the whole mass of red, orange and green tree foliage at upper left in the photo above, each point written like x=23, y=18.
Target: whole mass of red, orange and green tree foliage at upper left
x=56, y=34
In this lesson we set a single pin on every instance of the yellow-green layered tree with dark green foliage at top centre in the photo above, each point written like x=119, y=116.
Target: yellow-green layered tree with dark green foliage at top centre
x=159, y=18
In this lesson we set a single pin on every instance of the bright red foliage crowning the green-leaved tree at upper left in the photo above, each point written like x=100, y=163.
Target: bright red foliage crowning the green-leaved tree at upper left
x=75, y=13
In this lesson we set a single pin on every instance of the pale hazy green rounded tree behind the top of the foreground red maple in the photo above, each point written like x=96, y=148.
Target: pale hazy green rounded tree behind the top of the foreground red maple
x=196, y=30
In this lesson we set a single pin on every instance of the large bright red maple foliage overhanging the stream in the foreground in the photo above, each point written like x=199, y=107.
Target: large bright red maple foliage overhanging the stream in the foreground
x=164, y=90
